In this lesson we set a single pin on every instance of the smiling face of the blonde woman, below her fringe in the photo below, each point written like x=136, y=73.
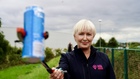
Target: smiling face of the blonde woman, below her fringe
x=84, y=39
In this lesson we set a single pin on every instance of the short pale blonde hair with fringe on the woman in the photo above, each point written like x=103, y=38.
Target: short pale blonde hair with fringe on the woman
x=84, y=24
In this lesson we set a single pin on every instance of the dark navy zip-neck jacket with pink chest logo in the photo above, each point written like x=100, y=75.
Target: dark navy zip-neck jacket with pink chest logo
x=97, y=66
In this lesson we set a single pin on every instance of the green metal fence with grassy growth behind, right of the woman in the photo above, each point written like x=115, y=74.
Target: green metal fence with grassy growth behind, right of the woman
x=126, y=62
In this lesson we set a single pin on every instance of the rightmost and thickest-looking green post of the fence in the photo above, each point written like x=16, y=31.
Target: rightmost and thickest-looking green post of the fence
x=125, y=65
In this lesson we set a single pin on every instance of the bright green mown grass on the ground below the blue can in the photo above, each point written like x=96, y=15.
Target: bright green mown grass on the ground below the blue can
x=30, y=71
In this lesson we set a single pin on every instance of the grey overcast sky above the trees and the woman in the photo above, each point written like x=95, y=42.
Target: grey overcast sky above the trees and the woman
x=120, y=18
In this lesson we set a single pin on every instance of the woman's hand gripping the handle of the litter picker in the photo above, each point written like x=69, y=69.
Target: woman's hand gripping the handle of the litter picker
x=57, y=74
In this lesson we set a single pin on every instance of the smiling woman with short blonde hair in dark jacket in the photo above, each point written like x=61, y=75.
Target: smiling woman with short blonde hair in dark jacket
x=84, y=62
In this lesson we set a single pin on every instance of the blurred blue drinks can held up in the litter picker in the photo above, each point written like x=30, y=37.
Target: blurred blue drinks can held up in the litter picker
x=33, y=48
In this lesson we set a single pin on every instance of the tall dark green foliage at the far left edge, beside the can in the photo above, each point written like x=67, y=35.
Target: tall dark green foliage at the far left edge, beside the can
x=8, y=55
